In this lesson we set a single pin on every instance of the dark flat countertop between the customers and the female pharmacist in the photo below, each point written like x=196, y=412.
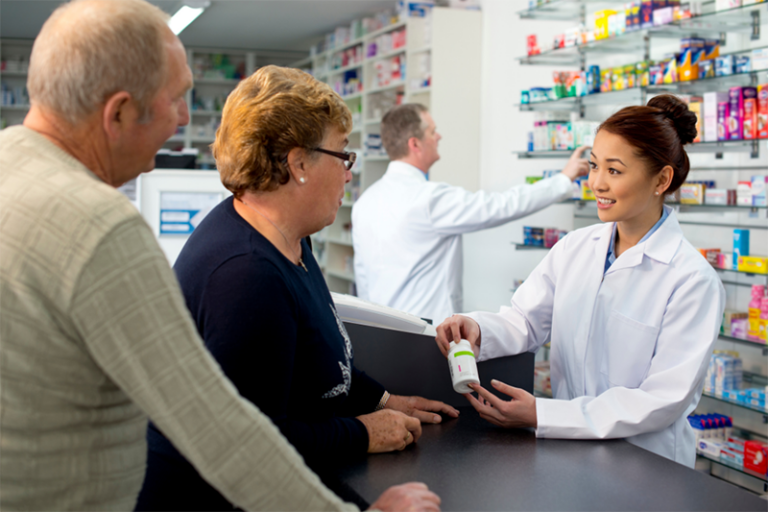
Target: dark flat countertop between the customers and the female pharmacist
x=475, y=466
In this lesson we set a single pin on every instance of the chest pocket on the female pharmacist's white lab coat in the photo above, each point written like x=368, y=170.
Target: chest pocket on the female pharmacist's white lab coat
x=628, y=350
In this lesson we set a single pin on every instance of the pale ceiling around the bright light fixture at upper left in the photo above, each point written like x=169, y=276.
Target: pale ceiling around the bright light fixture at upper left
x=247, y=24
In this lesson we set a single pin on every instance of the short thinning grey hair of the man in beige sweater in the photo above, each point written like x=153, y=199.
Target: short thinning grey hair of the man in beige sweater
x=89, y=50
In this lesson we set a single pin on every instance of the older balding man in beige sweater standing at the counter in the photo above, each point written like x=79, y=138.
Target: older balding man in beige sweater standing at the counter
x=94, y=332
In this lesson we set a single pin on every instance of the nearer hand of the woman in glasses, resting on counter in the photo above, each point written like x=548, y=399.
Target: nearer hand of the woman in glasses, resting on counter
x=390, y=430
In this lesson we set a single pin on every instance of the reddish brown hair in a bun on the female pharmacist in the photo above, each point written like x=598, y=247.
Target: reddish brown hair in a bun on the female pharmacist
x=658, y=133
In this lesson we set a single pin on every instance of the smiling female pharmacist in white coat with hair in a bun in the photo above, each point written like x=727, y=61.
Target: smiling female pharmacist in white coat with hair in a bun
x=632, y=310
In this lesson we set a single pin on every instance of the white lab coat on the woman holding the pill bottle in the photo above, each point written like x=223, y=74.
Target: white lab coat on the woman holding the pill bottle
x=629, y=350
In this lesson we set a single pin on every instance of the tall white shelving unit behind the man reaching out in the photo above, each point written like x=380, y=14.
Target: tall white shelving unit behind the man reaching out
x=431, y=39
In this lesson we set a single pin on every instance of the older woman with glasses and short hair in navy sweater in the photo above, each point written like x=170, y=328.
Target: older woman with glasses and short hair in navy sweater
x=259, y=298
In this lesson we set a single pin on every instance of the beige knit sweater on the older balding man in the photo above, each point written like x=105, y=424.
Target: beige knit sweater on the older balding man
x=95, y=337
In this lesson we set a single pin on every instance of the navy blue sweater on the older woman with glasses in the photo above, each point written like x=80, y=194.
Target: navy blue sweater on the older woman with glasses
x=273, y=328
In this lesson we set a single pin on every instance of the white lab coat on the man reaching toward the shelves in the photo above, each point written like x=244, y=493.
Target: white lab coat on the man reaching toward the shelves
x=407, y=236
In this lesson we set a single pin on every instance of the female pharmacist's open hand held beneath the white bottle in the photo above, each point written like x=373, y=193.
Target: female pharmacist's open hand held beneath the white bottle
x=520, y=412
